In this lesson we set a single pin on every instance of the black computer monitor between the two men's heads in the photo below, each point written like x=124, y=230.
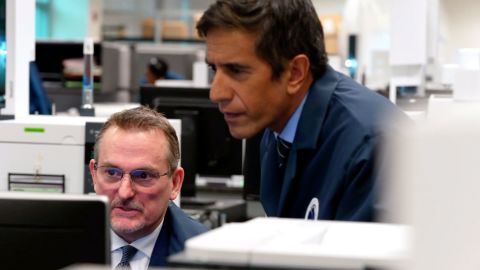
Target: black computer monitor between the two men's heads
x=207, y=147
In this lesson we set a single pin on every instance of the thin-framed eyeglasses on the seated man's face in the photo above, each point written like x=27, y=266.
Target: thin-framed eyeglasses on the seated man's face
x=114, y=175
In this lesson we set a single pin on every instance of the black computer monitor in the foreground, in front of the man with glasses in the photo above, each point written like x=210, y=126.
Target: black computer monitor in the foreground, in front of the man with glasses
x=51, y=231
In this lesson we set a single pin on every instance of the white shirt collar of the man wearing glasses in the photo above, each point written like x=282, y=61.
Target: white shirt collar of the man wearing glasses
x=144, y=244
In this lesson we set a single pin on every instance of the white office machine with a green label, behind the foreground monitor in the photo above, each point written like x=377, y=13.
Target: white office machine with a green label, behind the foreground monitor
x=41, y=145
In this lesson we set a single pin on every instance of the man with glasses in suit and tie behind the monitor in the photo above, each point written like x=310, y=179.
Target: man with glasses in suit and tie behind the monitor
x=136, y=166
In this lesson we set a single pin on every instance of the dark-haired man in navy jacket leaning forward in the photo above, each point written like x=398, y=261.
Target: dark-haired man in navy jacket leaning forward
x=323, y=130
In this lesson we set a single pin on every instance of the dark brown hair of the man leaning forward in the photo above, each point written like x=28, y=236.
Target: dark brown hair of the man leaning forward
x=284, y=29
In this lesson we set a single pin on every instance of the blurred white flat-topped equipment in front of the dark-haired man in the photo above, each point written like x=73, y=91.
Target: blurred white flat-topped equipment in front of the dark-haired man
x=275, y=243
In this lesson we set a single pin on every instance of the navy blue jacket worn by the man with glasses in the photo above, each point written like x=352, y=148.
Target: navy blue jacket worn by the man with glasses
x=176, y=229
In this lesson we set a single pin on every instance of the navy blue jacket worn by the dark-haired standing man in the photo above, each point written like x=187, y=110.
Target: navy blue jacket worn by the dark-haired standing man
x=332, y=159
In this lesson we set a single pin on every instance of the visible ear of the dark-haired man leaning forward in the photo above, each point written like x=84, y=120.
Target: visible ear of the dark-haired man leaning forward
x=299, y=72
